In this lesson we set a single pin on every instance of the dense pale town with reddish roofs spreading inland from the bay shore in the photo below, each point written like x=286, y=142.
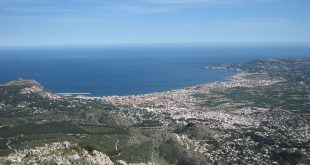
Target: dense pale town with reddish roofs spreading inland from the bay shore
x=182, y=106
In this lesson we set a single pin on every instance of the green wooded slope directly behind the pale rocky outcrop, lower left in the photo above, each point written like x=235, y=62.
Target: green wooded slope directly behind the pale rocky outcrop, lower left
x=88, y=136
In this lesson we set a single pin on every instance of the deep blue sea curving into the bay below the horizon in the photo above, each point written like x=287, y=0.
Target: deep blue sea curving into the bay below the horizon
x=130, y=70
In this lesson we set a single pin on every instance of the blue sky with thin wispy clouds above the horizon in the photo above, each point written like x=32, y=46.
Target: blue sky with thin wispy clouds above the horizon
x=76, y=22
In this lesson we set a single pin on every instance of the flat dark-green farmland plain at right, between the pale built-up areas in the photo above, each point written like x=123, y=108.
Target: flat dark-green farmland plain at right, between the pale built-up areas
x=285, y=95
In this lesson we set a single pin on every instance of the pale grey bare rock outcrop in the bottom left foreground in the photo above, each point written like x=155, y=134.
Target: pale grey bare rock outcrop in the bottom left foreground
x=61, y=153
